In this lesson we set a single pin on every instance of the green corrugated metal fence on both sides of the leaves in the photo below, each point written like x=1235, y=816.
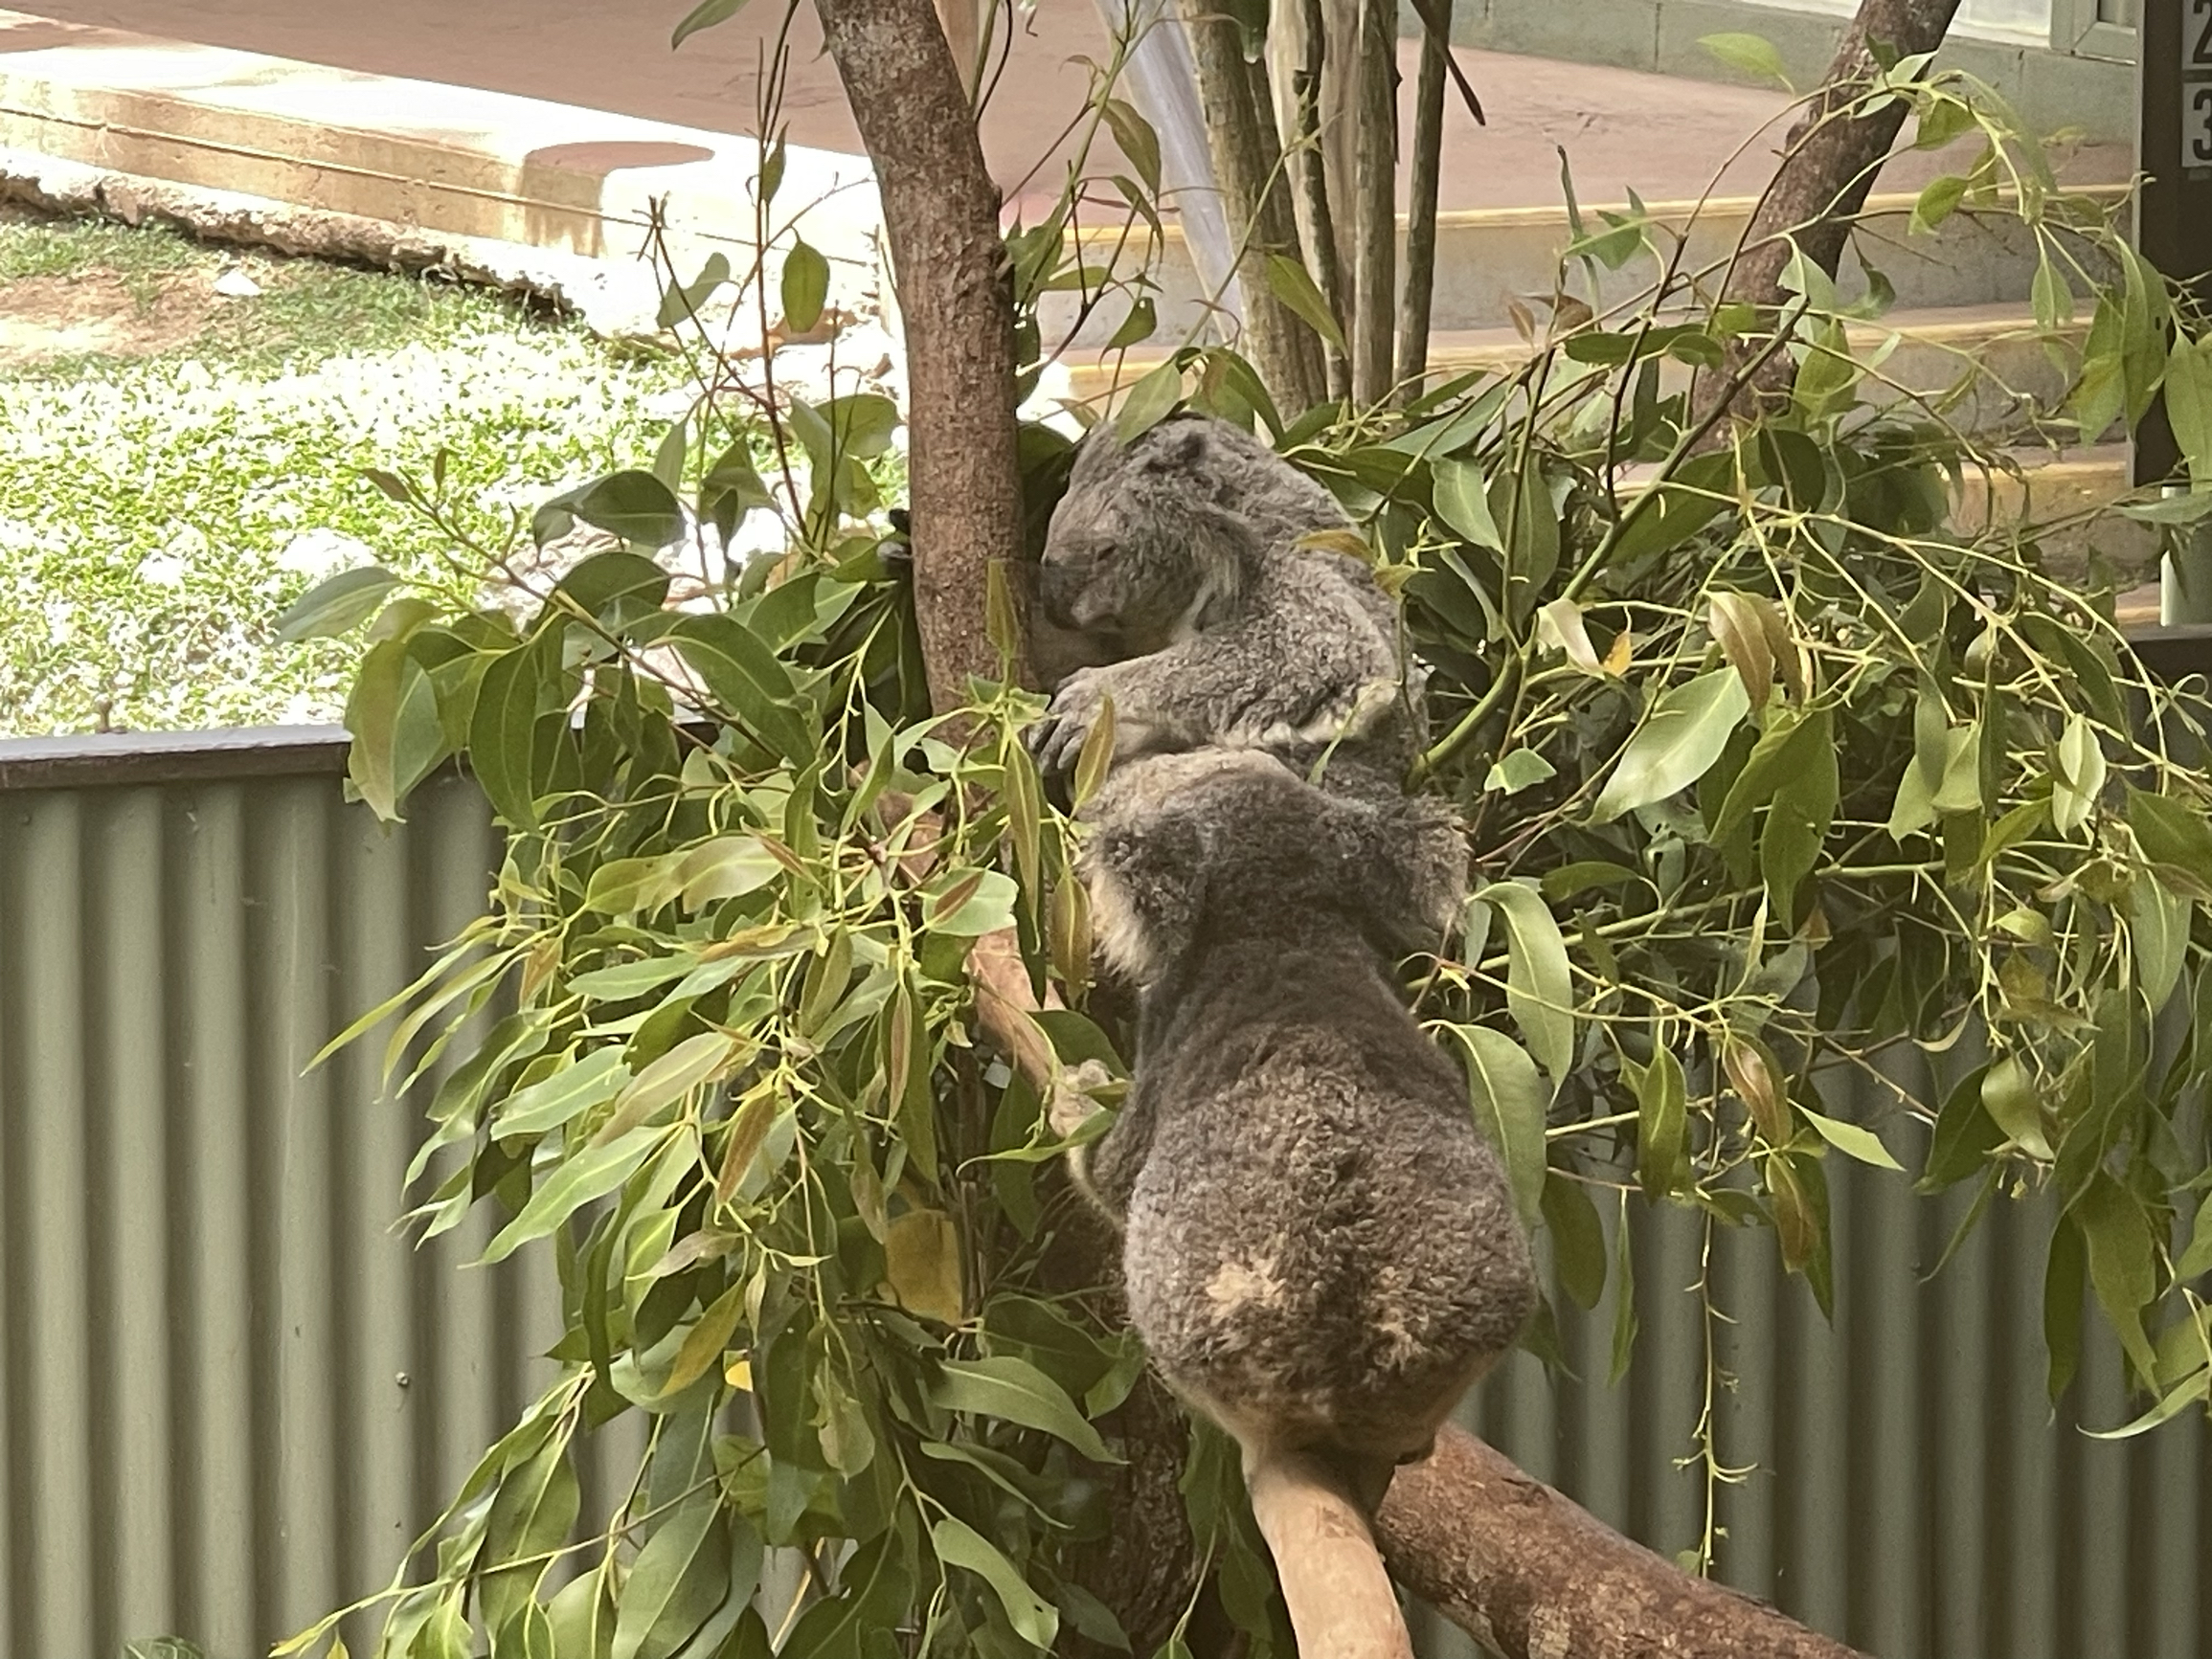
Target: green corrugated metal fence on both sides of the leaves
x=231, y=1395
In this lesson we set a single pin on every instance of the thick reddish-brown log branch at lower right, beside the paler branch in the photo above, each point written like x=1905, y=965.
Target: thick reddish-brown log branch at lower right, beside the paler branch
x=1532, y=1574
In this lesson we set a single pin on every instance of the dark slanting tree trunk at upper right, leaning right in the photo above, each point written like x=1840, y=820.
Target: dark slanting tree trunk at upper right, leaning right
x=1828, y=169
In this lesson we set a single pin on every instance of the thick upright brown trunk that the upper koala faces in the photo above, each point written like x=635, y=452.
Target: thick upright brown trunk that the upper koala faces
x=957, y=300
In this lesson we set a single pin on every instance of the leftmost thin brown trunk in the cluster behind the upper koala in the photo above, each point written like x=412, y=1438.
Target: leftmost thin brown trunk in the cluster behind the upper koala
x=1240, y=127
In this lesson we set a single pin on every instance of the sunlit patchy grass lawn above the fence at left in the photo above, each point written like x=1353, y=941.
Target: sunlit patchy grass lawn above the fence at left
x=178, y=466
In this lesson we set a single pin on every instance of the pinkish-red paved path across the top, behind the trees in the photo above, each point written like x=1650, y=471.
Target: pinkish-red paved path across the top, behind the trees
x=1662, y=138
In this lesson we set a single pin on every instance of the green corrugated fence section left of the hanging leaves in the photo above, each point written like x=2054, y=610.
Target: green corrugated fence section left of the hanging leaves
x=231, y=1395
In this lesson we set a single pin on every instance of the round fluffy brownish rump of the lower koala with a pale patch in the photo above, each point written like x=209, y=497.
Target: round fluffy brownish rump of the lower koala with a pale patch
x=1322, y=1251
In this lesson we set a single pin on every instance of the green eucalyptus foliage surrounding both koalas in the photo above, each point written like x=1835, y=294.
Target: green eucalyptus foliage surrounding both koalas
x=1773, y=773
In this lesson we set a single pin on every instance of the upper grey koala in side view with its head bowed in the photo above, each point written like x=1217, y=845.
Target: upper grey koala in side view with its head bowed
x=1176, y=556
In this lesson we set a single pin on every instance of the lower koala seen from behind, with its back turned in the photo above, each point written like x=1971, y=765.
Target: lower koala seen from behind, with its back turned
x=1319, y=1244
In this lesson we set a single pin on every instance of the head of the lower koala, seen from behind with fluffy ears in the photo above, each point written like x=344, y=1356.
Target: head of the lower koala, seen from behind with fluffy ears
x=1231, y=844
